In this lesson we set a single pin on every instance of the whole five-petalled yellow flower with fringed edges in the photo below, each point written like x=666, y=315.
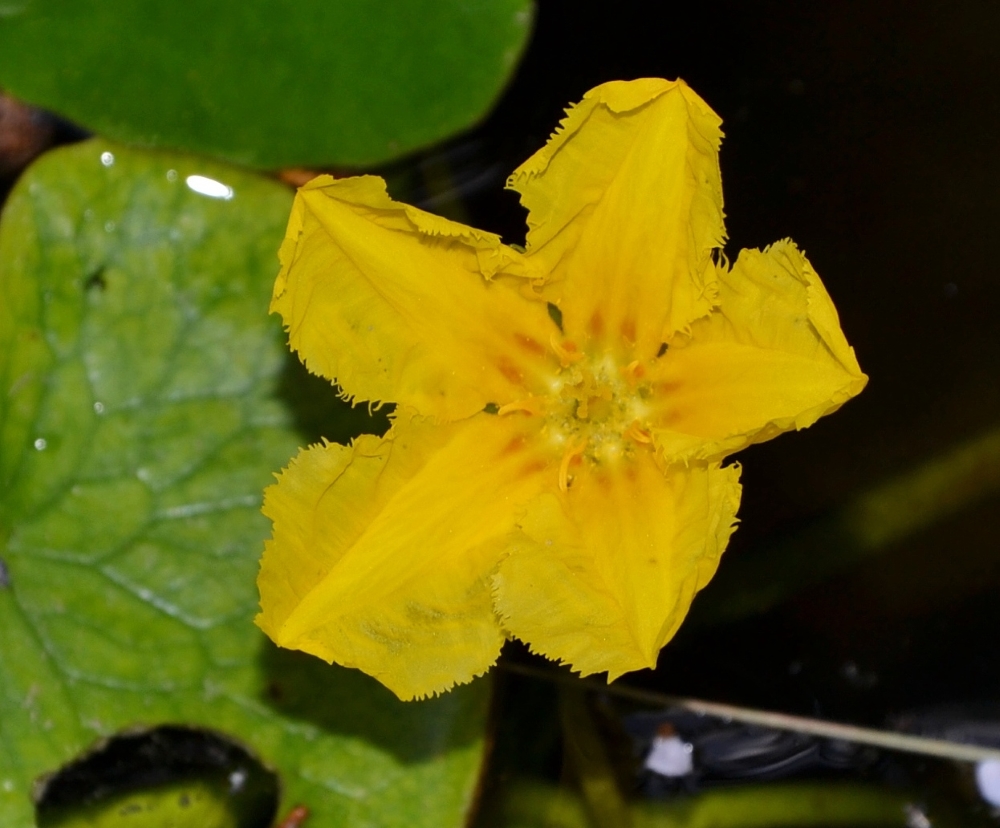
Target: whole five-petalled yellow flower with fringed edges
x=554, y=468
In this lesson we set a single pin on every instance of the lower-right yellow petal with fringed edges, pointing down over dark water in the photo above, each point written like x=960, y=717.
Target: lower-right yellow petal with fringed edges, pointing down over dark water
x=600, y=577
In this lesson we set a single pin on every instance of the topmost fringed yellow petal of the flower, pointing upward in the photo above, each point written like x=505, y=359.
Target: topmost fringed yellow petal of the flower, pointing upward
x=625, y=208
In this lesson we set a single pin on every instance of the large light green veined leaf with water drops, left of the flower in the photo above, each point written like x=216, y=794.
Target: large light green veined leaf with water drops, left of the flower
x=141, y=414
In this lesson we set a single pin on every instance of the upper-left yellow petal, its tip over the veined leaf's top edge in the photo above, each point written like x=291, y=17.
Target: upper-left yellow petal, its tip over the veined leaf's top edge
x=397, y=304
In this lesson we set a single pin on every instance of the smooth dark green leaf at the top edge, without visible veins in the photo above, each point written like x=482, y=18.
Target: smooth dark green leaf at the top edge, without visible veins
x=270, y=84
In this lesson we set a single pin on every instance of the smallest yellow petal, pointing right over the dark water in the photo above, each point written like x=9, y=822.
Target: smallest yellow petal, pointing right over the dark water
x=771, y=358
